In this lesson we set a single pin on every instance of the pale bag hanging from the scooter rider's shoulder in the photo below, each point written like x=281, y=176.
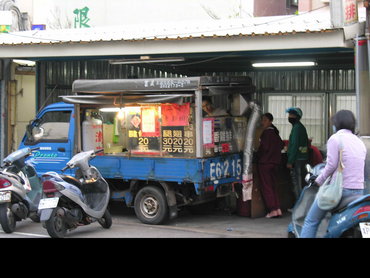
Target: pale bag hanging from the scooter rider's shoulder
x=330, y=192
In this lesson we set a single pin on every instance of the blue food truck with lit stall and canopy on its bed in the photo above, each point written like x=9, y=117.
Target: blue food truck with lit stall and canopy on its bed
x=161, y=152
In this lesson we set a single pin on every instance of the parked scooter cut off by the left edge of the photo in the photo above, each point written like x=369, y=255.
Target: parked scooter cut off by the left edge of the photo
x=20, y=190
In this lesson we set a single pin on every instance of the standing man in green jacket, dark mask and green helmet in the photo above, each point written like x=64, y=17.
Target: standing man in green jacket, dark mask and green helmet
x=297, y=149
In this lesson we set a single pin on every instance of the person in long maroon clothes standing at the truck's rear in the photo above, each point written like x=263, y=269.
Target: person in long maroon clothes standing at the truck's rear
x=269, y=159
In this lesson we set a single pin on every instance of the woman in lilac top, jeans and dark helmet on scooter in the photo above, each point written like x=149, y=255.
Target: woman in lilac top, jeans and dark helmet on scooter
x=353, y=158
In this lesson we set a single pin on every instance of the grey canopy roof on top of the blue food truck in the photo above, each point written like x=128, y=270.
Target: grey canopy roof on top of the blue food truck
x=116, y=91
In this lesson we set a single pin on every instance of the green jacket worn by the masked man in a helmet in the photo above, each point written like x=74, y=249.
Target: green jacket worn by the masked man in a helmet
x=298, y=143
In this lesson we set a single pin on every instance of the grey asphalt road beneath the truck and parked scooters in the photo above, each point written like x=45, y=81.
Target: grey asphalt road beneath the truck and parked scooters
x=214, y=224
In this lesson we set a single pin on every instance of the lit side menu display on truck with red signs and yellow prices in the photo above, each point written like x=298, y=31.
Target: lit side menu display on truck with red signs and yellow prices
x=163, y=130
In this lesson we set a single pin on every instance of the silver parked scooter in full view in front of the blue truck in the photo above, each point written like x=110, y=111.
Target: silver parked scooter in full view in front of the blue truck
x=70, y=202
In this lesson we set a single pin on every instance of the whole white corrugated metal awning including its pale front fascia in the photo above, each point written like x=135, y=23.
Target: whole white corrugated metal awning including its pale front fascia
x=309, y=30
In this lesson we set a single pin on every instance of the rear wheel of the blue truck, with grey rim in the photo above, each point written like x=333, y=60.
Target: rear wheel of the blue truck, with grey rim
x=151, y=205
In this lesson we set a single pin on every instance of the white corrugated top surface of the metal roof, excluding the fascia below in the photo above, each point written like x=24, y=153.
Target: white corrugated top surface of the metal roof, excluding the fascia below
x=259, y=26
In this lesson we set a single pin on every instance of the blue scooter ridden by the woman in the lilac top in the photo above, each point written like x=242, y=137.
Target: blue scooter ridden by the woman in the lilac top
x=350, y=218
